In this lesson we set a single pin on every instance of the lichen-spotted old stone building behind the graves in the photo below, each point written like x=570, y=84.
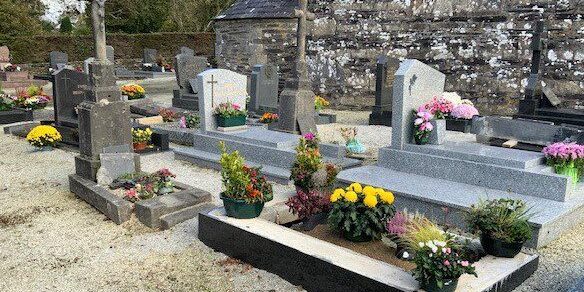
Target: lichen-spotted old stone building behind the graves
x=482, y=45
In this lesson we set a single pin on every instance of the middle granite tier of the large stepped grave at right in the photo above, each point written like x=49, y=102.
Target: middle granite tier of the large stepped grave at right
x=536, y=182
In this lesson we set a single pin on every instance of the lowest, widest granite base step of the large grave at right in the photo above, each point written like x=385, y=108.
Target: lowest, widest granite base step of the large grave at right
x=432, y=196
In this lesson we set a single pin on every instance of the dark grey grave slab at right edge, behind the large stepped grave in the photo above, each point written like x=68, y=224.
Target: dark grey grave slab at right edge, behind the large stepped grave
x=526, y=131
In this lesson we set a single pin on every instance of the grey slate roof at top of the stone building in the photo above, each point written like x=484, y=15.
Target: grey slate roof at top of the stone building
x=249, y=9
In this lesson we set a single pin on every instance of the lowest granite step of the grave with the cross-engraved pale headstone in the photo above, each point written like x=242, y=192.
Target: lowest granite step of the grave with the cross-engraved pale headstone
x=211, y=160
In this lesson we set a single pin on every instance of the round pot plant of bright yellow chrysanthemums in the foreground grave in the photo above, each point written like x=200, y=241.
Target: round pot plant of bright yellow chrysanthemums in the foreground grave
x=360, y=213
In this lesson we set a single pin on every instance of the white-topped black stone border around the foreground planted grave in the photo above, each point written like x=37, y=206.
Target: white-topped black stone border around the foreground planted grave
x=318, y=265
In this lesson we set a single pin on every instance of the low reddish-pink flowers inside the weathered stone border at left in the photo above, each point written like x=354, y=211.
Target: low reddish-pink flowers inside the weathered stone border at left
x=143, y=186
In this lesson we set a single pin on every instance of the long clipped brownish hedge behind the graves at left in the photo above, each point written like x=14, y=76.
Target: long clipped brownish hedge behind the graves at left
x=36, y=49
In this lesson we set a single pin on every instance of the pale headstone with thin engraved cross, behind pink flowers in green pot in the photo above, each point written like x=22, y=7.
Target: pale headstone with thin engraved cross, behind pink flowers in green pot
x=218, y=86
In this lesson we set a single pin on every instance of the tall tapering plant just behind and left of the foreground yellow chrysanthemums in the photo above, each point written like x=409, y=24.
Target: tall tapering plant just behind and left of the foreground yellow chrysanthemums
x=309, y=172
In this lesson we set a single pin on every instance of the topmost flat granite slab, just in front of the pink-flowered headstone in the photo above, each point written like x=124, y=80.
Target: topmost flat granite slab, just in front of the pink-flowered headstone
x=481, y=153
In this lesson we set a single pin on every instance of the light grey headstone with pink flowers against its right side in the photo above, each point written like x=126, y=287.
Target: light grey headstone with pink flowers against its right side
x=415, y=83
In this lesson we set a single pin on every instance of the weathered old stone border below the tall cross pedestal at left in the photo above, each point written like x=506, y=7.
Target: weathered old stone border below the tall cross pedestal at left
x=160, y=212
